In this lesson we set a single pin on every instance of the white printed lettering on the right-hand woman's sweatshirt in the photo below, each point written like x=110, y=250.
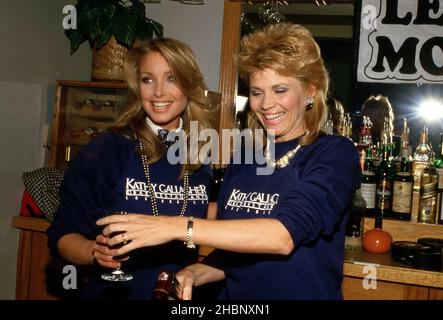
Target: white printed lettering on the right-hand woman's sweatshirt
x=259, y=202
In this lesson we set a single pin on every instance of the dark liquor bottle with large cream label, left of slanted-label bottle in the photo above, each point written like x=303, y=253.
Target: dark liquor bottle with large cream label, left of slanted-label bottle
x=402, y=192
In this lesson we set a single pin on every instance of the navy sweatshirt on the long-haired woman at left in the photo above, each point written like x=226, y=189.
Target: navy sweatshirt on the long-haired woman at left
x=107, y=176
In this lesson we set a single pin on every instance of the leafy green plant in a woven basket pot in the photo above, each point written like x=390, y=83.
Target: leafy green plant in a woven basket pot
x=111, y=27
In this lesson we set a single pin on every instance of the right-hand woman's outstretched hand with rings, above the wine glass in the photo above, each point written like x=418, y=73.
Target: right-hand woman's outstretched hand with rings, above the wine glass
x=139, y=230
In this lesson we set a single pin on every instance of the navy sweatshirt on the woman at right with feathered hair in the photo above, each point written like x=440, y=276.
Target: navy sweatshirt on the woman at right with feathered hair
x=311, y=198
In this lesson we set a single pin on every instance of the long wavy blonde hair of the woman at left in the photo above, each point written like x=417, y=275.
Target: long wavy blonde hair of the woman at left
x=189, y=79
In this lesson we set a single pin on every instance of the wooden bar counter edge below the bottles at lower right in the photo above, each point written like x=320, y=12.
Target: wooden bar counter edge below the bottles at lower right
x=389, y=270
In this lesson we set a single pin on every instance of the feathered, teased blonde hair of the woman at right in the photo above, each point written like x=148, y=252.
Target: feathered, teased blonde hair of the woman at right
x=291, y=51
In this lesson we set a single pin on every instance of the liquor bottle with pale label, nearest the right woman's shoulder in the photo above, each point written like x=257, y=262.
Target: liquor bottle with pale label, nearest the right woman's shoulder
x=369, y=186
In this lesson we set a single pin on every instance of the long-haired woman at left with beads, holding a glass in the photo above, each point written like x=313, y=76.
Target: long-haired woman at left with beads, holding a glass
x=128, y=170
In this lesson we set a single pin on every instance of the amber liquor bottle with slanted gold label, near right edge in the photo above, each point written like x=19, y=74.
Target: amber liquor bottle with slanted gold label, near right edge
x=428, y=195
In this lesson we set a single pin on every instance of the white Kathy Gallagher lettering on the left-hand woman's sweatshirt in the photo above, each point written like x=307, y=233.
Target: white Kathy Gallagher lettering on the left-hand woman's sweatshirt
x=139, y=189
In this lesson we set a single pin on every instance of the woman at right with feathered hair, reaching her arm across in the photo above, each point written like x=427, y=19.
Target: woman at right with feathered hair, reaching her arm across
x=277, y=236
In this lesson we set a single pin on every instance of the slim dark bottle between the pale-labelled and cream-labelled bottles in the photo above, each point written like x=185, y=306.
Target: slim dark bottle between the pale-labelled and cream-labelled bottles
x=384, y=186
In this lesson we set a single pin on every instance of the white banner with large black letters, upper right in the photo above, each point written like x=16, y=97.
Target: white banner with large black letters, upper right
x=401, y=41
